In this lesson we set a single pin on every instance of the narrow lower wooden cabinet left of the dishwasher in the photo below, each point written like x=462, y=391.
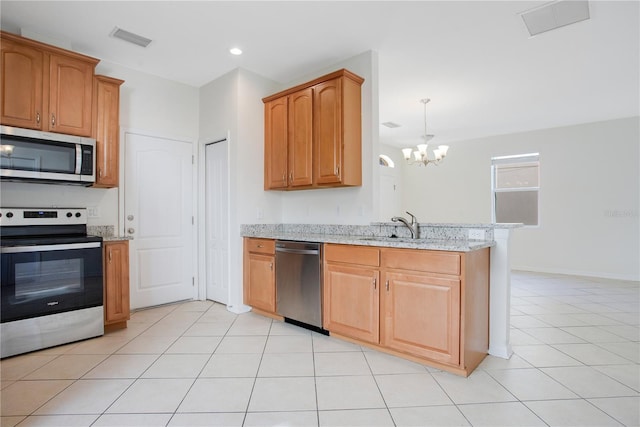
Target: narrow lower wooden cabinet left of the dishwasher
x=260, y=274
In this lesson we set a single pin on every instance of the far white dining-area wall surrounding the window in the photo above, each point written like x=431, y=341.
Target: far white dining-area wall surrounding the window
x=589, y=196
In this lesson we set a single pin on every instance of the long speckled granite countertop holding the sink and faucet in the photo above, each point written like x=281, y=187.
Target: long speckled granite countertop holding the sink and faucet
x=375, y=235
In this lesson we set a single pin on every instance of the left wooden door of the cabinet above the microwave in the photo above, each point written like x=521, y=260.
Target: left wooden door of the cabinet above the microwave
x=22, y=73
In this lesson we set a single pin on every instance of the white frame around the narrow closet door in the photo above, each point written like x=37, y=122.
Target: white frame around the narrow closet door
x=201, y=217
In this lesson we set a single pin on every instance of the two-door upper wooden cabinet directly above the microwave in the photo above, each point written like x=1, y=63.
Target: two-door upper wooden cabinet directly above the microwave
x=44, y=87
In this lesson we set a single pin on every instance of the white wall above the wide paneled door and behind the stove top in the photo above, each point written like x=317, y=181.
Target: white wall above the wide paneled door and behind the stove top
x=147, y=103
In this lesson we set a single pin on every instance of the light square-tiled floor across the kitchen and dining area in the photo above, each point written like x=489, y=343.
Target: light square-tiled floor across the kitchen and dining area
x=576, y=363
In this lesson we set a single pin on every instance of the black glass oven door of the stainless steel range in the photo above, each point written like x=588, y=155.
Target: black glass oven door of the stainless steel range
x=39, y=280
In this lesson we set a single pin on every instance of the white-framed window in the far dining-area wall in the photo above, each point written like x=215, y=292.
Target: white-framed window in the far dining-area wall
x=515, y=182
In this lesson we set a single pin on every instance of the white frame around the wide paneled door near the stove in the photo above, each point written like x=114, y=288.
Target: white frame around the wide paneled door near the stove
x=122, y=225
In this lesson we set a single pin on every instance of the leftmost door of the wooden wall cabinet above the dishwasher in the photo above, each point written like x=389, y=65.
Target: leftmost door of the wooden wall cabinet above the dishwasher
x=275, y=144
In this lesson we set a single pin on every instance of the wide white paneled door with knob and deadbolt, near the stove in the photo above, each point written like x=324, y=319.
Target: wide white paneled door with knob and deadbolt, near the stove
x=158, y=210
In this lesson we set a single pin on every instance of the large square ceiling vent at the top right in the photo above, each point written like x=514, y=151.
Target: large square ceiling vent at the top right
x=555, y=15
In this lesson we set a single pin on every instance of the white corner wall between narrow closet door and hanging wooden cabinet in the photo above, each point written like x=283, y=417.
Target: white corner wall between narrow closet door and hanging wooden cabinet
x=231, y=107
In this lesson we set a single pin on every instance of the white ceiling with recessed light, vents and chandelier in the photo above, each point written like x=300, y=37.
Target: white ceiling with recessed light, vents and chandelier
x=483, y=72
